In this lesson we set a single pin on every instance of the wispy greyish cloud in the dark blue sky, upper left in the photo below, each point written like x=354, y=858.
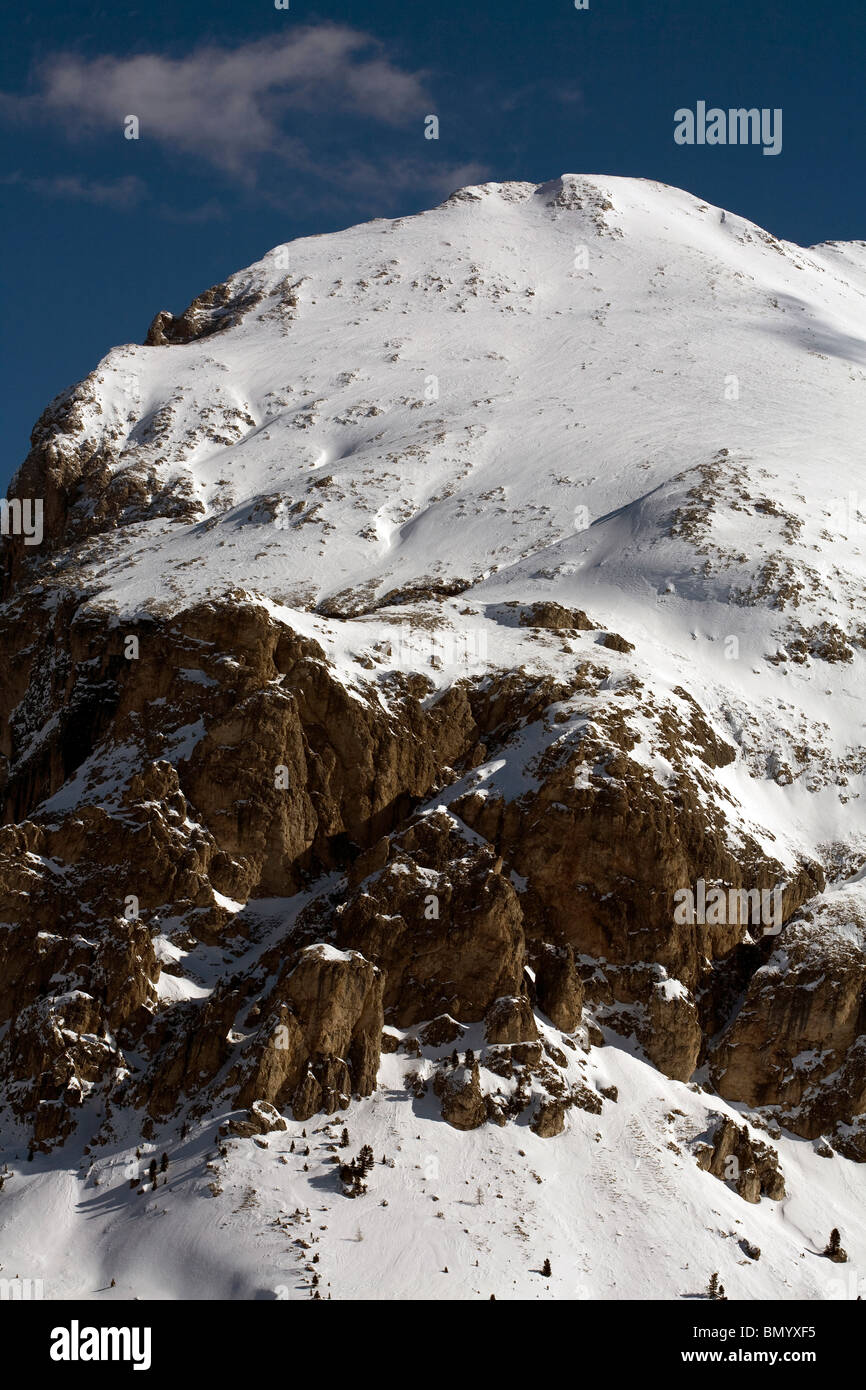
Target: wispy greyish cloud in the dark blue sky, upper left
x=227, y=106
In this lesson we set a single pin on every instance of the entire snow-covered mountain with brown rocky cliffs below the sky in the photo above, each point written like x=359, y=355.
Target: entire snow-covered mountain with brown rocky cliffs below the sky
x=433, y=710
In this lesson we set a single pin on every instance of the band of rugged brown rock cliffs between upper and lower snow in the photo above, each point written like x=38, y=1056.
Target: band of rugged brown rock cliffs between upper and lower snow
x=224, y=764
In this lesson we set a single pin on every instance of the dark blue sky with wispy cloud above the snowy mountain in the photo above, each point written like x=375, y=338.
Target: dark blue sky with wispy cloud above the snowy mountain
x=262, y=124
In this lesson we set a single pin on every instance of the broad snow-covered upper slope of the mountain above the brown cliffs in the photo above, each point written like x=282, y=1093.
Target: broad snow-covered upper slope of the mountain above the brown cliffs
x=559, y=387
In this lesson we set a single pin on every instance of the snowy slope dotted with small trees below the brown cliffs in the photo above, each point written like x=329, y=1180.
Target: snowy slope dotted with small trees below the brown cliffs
x=616, y=1203
